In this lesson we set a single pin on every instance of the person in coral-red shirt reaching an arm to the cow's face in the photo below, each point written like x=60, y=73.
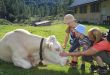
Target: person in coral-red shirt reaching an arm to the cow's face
x=100, y=48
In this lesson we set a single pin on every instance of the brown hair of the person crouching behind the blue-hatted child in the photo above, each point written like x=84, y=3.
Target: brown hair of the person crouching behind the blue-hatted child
x=95, y=35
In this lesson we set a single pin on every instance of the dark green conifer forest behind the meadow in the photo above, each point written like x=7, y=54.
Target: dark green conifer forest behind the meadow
x=22, y=10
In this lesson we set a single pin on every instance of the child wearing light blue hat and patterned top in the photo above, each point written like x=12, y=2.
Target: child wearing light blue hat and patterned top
x=85, y=43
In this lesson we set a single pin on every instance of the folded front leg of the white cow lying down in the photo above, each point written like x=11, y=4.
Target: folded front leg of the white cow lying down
x=19, y=57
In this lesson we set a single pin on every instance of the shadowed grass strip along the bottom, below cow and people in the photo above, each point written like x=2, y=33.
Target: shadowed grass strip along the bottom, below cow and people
x=10, y=69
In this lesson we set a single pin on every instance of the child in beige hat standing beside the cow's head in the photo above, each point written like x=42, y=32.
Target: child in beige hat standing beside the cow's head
x=71, y=24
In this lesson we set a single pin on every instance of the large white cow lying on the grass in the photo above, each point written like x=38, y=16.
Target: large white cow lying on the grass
x=22, y=48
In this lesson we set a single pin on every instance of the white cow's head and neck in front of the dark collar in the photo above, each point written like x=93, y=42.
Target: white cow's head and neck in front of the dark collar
x=52, y=52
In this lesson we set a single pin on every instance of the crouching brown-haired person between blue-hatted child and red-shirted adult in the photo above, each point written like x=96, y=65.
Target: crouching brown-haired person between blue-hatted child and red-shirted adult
x=95, y=35
